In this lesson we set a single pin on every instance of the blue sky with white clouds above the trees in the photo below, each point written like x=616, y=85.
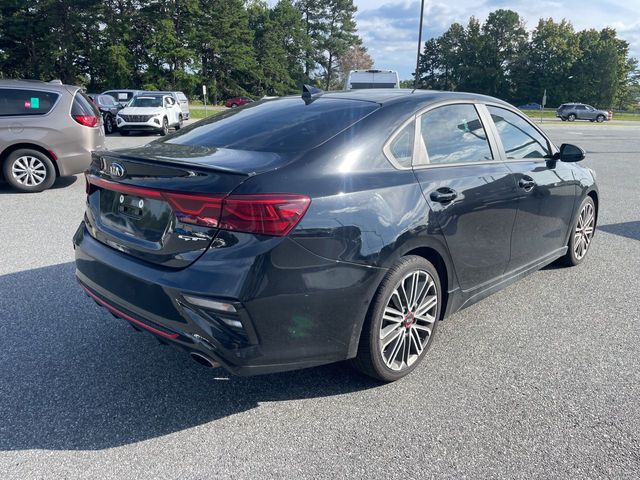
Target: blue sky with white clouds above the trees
x=390, y=27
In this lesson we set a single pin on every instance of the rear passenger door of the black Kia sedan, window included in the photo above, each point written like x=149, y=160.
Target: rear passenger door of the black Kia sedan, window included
x=472, y=195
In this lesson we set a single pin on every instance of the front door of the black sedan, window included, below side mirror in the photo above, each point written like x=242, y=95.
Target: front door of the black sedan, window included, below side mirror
x=546, y=189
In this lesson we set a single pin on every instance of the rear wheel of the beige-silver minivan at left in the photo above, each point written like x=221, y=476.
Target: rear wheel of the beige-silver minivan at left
x=29, y=170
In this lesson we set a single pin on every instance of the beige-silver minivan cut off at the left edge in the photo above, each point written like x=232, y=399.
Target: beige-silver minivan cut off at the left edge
x=47, y=130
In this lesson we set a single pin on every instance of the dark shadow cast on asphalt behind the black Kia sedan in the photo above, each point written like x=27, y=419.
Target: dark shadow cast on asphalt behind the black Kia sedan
x=73, y=377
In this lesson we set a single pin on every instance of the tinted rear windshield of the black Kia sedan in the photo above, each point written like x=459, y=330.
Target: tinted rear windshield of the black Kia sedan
x=286, y=125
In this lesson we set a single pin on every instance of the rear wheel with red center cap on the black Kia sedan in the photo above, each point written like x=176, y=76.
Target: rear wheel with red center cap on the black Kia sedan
x=391, y=319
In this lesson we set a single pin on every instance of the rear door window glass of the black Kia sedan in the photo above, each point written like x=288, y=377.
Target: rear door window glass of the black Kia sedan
x=454, y=134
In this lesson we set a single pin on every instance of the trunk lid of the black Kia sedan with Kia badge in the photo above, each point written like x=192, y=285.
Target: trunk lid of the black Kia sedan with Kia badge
x=161, y=209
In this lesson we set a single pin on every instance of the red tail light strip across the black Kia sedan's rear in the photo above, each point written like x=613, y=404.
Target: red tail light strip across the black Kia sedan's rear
x=265, y=214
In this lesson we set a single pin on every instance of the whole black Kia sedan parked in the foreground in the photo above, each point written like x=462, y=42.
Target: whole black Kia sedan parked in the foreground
x=341, y=225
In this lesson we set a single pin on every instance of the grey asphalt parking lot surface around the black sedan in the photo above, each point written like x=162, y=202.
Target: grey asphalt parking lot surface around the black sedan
x=541, y=380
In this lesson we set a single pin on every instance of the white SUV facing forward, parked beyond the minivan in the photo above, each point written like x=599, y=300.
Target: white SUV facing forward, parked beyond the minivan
x=150, y=112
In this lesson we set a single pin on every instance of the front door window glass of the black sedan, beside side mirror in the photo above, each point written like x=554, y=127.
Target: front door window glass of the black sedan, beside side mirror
x=519, y=138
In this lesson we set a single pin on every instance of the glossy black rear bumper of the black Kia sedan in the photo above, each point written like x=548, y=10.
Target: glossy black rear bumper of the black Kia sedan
x=297, y=310
